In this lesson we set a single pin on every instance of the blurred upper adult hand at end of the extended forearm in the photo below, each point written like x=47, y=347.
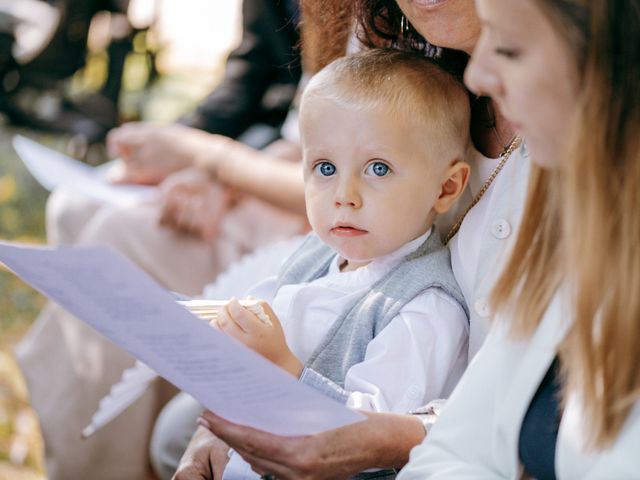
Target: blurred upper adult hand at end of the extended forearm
x=149, y=152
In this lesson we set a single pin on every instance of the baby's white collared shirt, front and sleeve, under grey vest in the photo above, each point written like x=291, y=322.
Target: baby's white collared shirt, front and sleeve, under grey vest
x=419, y=356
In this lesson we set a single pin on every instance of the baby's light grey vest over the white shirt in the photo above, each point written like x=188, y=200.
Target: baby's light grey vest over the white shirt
x=346, y=342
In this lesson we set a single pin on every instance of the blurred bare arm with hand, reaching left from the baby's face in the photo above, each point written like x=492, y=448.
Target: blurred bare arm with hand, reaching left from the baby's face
x=153, y=152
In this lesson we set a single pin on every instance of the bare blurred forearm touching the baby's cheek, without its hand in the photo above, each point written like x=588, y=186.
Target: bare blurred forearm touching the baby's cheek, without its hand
x=276, y=181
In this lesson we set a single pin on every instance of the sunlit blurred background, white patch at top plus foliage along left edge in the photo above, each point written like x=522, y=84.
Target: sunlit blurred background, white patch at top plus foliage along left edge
x=189, y=41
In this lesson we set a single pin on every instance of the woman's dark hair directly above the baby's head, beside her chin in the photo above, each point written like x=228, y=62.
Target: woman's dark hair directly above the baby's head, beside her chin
x=381, y=24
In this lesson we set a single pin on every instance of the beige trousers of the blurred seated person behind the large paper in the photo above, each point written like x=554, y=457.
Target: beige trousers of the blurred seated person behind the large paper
x=69, y=367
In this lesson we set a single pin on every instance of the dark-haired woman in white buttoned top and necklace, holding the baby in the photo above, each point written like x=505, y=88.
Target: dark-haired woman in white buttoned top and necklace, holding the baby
x=479, y=236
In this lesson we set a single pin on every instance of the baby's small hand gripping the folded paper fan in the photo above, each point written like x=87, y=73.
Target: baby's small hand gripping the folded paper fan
x=267, y=340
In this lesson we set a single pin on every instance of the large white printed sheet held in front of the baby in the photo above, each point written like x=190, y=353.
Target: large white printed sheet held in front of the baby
x=120, y=301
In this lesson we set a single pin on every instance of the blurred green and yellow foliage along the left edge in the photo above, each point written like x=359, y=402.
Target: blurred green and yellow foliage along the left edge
x=22, y=203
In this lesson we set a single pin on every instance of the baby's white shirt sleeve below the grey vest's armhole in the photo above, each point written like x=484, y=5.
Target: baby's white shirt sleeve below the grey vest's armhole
x=418, y=357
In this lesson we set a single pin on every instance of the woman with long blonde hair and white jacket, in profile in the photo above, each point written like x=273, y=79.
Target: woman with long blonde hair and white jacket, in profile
x=555, y=390
